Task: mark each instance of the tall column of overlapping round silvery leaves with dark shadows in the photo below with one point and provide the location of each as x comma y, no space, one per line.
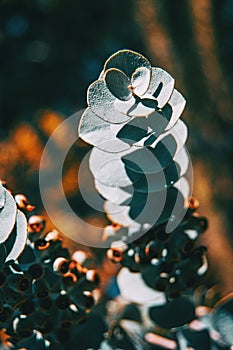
139,162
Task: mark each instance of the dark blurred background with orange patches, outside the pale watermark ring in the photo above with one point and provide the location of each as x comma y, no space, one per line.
51,50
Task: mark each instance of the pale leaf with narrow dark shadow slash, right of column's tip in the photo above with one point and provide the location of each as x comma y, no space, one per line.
161,86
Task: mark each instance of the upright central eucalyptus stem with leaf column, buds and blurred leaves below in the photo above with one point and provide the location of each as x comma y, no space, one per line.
143,171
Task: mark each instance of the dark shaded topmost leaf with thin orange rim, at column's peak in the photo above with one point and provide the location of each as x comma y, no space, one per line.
127,61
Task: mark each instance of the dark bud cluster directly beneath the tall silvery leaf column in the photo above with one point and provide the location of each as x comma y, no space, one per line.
168,262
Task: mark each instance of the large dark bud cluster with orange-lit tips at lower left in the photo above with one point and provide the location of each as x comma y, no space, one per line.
46,293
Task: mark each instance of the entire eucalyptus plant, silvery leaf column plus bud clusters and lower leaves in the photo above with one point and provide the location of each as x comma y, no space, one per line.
142,169
